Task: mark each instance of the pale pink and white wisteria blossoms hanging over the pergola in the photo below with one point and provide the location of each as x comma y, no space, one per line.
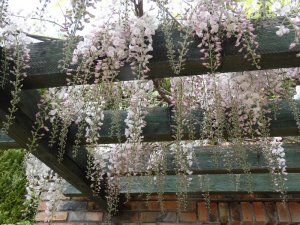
233,105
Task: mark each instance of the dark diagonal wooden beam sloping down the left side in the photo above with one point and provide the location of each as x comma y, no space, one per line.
20,131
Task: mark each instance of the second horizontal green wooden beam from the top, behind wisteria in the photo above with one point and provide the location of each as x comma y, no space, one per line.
159,125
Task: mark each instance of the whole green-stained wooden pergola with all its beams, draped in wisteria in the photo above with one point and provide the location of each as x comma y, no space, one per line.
43,73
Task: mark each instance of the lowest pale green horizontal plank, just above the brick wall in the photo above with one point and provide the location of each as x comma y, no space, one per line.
218,183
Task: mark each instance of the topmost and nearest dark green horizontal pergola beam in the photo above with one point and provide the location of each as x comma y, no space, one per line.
274,53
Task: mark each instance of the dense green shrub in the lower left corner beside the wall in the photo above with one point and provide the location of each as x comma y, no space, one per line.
12,188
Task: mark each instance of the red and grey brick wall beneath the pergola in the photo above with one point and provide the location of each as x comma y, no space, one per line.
224,209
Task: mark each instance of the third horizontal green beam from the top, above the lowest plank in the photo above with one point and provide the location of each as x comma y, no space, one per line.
204,161
